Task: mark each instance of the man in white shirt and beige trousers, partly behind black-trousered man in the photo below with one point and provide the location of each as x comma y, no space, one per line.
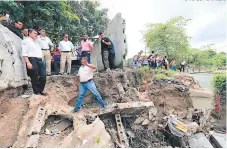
45,44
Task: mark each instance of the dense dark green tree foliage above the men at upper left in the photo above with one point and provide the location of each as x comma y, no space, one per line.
58,17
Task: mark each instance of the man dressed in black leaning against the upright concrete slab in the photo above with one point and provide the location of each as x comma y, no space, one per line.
108,53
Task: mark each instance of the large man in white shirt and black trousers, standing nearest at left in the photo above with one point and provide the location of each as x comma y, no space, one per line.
31,51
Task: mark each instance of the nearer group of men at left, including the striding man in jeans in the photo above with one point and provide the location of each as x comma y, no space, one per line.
37,49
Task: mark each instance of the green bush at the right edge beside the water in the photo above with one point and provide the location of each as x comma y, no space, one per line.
219,82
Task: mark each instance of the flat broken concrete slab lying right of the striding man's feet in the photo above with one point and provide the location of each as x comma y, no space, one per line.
126,109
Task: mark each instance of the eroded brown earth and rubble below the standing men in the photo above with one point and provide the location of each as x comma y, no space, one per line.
39,121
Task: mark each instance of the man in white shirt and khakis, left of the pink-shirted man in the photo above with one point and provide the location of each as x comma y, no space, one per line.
66,47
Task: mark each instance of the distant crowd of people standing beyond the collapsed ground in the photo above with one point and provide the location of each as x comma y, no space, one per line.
155,61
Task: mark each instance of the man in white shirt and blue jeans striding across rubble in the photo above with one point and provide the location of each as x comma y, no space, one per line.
86,83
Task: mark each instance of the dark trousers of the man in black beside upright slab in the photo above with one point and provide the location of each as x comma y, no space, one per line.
108,59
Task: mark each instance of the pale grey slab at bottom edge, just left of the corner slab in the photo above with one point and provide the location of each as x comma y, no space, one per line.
199,140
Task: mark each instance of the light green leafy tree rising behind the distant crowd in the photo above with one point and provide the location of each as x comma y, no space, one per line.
168,38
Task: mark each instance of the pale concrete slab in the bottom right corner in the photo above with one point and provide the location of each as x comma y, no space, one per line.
218,139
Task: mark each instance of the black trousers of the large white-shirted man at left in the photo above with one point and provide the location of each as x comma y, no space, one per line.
37,74
